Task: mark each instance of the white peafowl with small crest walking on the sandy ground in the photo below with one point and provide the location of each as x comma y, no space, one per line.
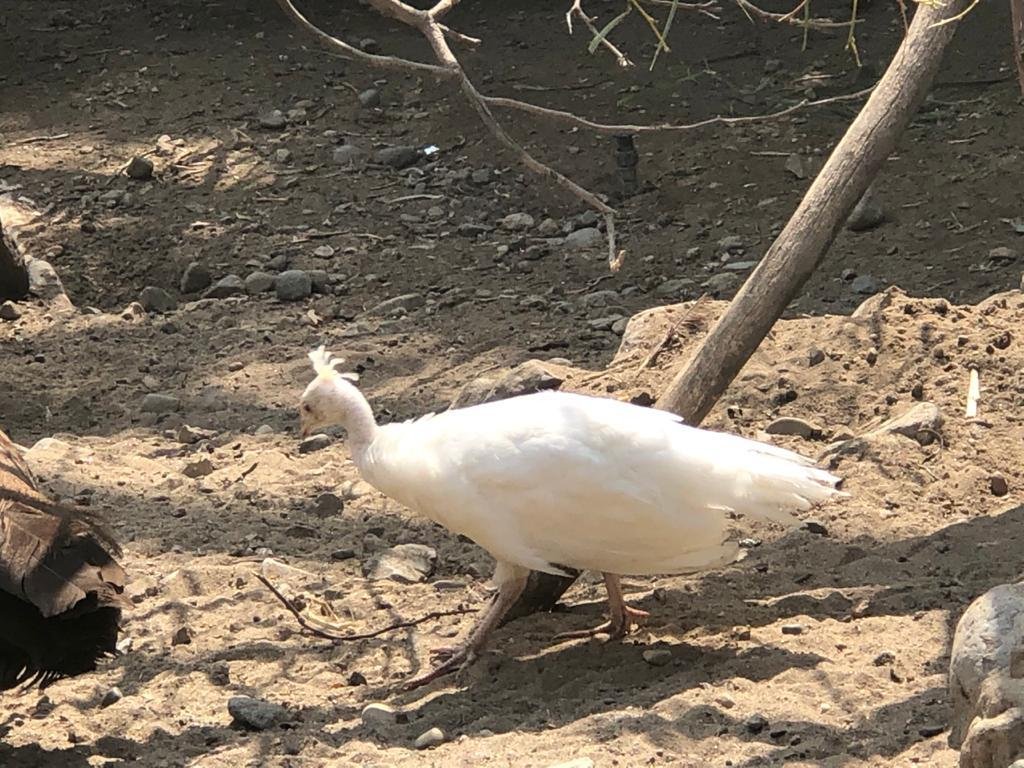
551,481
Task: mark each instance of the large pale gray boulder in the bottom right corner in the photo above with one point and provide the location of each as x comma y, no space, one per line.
986,685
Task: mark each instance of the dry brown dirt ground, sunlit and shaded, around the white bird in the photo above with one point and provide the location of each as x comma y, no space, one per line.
86,88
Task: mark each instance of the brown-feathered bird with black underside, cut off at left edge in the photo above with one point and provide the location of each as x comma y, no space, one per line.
62,590
